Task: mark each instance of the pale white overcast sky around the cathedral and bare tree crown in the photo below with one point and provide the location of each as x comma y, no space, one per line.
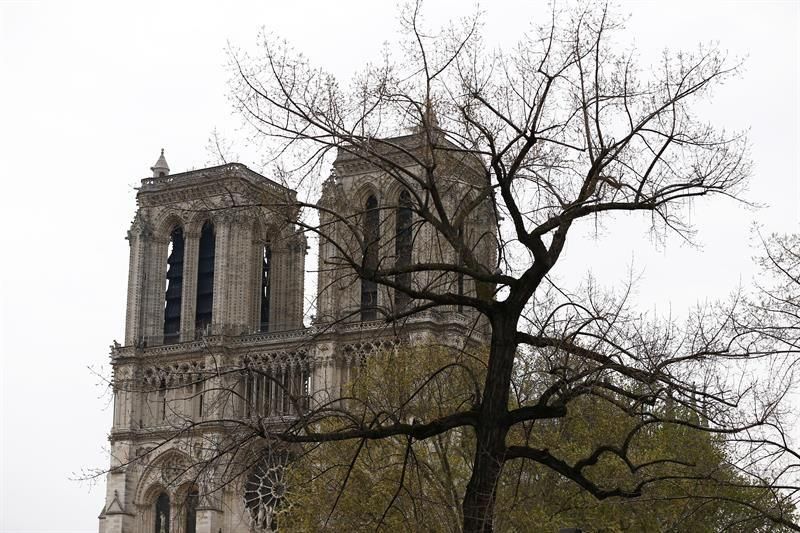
91,91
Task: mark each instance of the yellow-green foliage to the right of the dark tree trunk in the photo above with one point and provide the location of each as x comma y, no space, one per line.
688,484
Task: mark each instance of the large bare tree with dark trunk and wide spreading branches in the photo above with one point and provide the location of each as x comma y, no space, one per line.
501,156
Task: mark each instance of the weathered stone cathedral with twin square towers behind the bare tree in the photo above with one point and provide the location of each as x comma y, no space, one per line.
216,285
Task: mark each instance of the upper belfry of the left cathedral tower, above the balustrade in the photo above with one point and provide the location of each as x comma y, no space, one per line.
208,236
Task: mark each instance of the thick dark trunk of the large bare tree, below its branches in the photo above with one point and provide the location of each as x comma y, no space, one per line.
491,432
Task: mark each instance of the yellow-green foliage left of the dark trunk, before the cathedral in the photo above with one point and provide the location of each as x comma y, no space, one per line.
391,484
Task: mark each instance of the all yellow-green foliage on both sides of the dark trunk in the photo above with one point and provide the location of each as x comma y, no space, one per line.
395,484
